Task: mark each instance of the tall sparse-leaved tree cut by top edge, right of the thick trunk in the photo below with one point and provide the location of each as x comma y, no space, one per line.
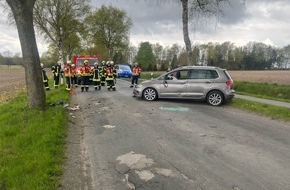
61,22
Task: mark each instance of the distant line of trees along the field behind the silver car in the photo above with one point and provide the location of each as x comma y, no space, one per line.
252,56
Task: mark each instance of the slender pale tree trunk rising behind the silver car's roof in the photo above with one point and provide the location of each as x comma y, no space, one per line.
185,31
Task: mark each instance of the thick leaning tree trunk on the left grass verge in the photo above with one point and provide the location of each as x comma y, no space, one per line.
23,14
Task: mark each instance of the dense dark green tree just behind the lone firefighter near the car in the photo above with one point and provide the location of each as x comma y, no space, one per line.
145,56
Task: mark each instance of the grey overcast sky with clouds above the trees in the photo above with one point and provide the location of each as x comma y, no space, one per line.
266,21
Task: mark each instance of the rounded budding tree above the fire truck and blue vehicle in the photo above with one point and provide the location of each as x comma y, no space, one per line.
109,26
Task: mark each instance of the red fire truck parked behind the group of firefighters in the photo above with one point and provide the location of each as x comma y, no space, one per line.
79,61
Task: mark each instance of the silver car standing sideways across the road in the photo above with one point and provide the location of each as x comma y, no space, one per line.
211,84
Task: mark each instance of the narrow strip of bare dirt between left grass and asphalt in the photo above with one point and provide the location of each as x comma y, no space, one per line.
76,171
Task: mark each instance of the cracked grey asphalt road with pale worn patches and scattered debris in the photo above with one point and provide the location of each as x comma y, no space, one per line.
117,142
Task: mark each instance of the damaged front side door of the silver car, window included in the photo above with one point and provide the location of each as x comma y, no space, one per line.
174,84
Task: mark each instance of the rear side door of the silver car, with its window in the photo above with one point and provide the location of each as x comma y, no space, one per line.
200,82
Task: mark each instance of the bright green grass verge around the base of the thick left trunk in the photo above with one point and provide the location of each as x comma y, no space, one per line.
32,143
